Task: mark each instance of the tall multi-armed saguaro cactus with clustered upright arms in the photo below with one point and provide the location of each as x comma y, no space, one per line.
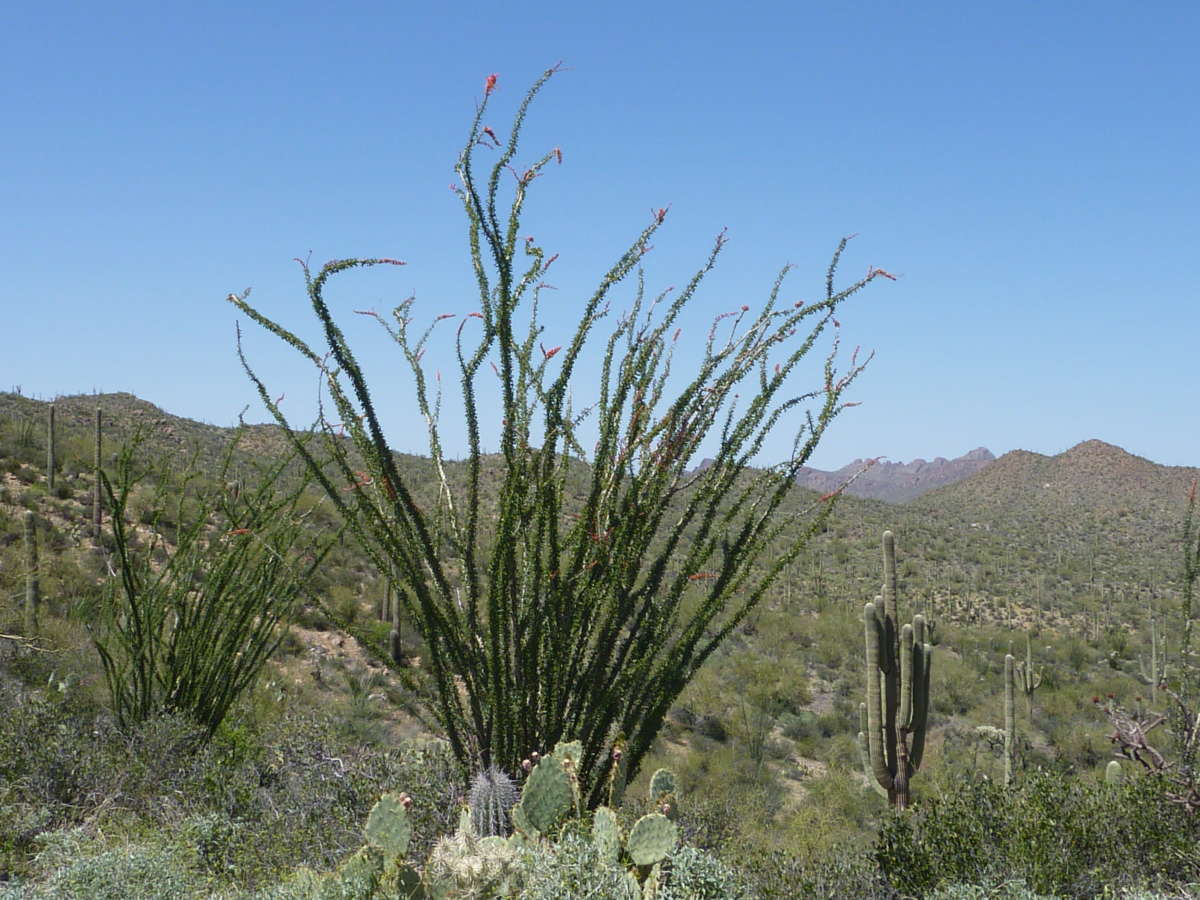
897,709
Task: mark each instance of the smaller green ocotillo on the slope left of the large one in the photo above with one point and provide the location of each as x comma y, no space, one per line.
196,603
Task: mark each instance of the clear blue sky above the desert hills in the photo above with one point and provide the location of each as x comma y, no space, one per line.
1030,170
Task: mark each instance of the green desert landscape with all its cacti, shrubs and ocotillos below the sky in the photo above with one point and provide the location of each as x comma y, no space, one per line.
286,662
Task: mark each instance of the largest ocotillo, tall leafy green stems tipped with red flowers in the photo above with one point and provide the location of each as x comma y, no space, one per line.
553,614
